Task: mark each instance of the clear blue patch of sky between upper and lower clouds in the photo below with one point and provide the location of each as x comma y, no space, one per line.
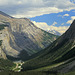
55,17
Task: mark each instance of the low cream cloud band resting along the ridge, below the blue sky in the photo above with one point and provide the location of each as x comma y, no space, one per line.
46,27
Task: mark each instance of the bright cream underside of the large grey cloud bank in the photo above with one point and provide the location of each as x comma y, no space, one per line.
38,12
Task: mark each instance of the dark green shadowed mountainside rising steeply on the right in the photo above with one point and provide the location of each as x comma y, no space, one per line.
58,57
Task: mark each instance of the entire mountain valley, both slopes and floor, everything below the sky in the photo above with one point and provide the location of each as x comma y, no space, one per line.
28,50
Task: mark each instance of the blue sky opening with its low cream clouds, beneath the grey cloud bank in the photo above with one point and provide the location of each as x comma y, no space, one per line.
55,21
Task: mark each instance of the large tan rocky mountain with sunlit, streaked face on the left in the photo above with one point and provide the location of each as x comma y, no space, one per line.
20,38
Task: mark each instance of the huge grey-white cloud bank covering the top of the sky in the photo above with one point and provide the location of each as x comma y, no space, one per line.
32,8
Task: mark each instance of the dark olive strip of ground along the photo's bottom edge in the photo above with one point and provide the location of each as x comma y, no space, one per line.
34,73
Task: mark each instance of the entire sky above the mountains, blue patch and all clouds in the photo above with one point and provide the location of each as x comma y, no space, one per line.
45,14
